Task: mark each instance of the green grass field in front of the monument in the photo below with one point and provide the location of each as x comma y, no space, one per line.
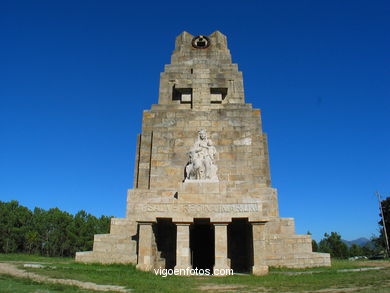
279,280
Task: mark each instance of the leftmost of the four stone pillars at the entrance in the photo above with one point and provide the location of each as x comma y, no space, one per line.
145,246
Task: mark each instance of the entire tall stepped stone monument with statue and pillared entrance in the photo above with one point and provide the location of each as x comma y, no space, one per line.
202,195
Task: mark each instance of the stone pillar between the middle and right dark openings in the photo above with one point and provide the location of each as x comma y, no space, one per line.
221,253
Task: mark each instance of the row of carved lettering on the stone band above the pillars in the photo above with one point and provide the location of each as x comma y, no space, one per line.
200,208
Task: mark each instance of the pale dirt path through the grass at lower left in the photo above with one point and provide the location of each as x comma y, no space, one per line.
11,269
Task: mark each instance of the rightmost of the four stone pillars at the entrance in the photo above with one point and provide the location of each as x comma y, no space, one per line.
259,267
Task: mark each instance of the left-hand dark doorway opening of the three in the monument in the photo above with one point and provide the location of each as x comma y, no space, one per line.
165,233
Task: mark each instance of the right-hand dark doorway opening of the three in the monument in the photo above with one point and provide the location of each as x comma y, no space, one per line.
240,245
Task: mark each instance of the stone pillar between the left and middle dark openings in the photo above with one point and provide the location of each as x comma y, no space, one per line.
183,257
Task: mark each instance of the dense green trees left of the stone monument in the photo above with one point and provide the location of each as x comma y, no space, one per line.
51,233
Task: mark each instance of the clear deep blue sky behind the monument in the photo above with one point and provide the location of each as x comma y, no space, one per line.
75,77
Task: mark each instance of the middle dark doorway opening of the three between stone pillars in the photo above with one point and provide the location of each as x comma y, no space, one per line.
202,244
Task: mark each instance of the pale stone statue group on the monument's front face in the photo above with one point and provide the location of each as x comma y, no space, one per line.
201,164
